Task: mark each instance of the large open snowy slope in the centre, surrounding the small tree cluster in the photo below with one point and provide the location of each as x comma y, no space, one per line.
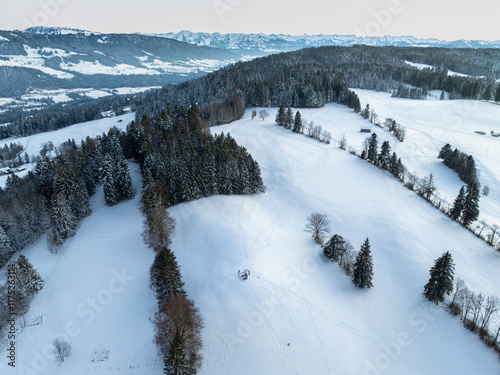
293,296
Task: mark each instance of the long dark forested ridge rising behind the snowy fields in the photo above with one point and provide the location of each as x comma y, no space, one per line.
307,78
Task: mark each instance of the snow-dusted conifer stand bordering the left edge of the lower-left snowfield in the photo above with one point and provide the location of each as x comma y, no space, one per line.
55,196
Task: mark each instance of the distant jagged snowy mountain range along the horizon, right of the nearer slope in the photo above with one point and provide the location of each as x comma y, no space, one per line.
281,42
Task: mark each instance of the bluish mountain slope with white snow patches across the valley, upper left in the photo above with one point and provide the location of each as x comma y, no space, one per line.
62,58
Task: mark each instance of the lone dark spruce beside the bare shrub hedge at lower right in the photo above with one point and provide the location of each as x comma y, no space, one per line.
441,279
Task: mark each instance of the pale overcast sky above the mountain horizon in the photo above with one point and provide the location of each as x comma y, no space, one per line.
442,19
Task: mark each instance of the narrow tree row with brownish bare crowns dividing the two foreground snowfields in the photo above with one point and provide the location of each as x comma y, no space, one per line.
178,322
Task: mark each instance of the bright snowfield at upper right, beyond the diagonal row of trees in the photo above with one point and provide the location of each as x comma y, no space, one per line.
430,125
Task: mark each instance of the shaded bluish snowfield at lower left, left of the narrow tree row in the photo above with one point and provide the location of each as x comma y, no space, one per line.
96,297
